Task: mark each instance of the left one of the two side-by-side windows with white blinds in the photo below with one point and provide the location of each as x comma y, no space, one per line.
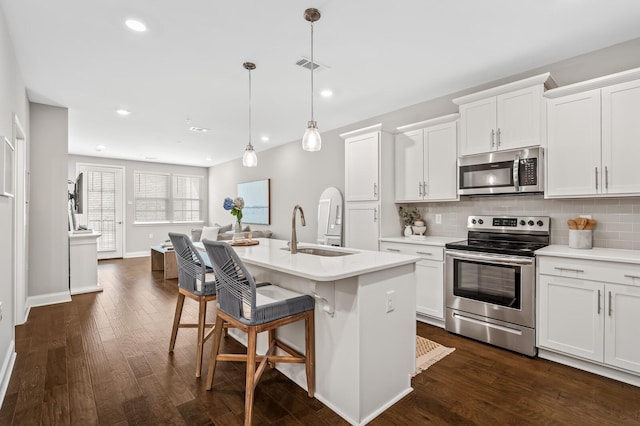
151,192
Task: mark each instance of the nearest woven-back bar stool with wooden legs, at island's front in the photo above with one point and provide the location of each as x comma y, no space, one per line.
254,308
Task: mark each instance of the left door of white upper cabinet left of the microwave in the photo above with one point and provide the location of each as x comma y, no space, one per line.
409,166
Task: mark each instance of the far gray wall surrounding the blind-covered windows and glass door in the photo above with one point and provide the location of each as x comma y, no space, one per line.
137,240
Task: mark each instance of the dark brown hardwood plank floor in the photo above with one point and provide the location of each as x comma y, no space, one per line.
103,359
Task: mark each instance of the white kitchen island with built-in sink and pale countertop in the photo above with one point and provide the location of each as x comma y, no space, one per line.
364,322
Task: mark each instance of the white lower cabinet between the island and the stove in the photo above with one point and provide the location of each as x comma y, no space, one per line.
429,278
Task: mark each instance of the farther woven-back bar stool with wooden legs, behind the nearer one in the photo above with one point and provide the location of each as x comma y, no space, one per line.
196,282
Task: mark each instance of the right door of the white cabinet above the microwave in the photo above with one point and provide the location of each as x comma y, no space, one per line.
519,118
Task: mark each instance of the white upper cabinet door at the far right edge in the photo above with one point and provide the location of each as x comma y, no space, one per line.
621,138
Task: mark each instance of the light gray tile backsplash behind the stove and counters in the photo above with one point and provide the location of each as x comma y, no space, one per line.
618,218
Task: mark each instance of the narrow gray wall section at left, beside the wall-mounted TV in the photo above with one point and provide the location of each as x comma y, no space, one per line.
48,234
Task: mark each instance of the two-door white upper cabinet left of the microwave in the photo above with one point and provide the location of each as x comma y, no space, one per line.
426,161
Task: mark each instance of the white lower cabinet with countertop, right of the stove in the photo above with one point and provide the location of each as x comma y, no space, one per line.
590,310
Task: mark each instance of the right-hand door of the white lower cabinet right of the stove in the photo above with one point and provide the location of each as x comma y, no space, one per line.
622,340
